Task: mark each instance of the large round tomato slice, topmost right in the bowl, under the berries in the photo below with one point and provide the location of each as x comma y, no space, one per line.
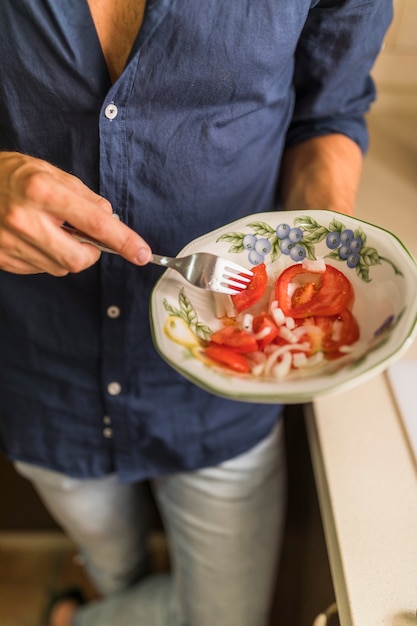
301,293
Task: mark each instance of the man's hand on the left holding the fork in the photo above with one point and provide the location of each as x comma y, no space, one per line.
36,198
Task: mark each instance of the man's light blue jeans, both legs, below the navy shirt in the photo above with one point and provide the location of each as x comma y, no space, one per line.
224,525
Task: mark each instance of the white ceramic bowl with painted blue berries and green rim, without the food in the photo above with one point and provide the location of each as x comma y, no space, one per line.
382,271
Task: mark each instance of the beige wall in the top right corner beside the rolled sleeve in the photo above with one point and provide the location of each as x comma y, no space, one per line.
395,71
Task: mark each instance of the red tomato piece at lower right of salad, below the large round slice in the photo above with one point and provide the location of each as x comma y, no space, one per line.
338,330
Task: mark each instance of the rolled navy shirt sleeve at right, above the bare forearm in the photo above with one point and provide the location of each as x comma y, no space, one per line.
335,54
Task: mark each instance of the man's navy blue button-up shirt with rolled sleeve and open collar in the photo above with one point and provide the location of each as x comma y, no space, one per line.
190,137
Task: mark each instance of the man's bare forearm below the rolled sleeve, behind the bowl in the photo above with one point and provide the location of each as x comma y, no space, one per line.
321,173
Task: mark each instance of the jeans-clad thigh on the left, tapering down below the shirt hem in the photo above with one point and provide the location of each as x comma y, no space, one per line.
107,521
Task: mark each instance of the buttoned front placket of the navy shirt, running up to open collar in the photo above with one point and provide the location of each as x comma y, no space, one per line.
115,427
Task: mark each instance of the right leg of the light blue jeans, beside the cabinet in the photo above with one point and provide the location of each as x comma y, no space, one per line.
225,526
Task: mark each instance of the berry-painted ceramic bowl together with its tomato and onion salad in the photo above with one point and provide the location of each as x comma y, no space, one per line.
332,302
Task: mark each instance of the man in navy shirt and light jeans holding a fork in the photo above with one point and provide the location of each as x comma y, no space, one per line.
177,116
